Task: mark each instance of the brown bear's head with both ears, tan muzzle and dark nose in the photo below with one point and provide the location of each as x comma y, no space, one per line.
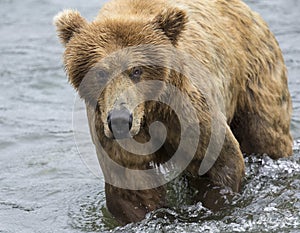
106,59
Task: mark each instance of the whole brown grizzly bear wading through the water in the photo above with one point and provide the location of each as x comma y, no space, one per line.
207,78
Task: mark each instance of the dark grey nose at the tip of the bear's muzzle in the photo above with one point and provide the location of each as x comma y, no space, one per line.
120,123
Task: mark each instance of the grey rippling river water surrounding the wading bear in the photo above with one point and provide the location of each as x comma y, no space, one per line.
46,187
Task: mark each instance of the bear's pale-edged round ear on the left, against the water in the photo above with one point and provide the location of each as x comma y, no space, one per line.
67,23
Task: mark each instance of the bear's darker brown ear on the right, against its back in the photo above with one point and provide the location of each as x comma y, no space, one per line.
171,22
